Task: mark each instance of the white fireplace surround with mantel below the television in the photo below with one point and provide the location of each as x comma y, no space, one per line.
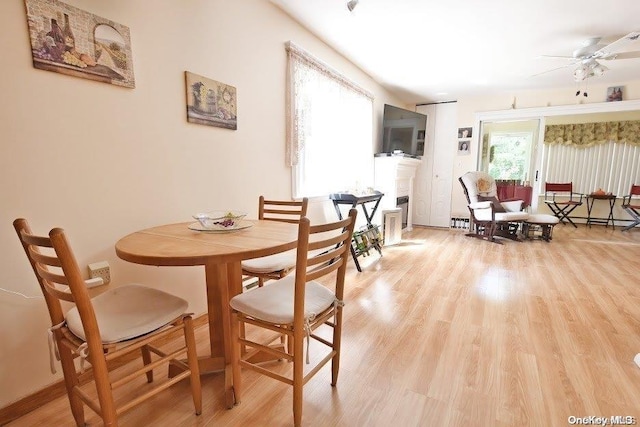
394,176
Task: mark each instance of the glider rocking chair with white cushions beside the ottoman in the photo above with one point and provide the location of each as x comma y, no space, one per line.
490,218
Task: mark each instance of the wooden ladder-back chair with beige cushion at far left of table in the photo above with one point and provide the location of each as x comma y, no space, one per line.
106,331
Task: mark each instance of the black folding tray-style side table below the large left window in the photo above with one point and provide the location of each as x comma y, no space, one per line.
361,247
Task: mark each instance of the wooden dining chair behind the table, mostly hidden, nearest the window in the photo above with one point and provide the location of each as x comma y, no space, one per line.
278,265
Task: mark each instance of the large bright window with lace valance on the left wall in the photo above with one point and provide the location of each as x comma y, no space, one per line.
330,128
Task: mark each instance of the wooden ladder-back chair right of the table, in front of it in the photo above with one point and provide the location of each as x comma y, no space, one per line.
297,305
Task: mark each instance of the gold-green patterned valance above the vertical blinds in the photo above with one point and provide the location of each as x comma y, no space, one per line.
582,135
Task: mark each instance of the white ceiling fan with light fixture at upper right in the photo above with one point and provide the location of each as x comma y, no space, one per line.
586,59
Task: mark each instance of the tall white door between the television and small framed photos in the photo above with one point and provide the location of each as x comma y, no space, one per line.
432,188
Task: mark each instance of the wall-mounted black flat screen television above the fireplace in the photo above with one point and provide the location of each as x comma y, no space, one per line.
404,131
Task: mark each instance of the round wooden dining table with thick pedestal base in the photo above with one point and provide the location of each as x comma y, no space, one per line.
221,254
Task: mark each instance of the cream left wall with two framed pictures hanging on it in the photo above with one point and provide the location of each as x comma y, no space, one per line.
102,161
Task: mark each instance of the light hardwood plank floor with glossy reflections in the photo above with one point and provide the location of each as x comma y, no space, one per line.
445,330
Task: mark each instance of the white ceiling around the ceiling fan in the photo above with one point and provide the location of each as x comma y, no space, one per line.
439,50
